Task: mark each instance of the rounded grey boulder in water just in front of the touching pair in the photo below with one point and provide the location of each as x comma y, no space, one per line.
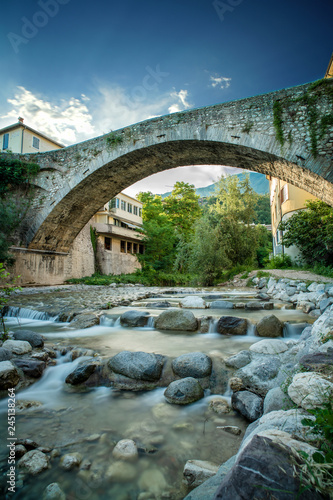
184,391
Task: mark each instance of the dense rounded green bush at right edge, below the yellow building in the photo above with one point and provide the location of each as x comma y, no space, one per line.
312,232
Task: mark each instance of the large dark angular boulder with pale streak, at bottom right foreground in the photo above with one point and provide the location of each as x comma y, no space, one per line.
264,466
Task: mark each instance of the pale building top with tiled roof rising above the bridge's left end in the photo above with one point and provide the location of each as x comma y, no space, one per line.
19,138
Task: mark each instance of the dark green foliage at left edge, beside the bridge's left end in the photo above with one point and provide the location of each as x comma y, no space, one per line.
14,174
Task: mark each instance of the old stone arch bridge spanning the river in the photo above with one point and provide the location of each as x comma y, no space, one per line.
286,134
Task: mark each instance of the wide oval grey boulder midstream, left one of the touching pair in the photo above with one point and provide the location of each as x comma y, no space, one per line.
137,365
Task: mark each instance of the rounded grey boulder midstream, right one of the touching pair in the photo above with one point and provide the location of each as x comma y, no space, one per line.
194,364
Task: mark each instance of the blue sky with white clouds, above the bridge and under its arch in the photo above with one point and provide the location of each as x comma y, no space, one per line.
76,69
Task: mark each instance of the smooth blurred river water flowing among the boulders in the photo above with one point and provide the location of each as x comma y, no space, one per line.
92,421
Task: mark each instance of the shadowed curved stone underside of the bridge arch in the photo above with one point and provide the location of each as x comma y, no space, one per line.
58,231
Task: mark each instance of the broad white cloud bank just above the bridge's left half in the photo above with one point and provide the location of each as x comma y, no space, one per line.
76,119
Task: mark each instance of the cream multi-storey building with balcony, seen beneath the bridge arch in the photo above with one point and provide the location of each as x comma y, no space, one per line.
117,225
